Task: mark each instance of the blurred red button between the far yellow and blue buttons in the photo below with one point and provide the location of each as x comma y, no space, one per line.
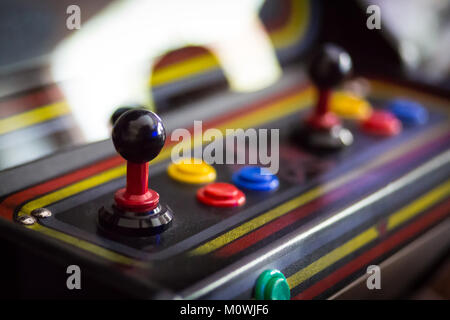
382,123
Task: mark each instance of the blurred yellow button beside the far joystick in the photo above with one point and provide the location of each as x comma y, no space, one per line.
348,105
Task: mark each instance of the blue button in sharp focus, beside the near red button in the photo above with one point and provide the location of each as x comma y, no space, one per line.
255,178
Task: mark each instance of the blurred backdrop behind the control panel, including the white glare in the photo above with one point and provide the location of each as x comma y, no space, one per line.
37,117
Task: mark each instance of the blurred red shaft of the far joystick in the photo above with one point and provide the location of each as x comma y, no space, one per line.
322,118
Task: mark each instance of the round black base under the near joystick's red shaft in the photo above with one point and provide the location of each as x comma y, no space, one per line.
116,221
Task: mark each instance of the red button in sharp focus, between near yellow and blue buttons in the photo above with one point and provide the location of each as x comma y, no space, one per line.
221,195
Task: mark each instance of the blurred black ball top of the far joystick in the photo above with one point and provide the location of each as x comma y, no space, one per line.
329,66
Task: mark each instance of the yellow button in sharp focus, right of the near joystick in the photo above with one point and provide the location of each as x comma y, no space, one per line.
188,171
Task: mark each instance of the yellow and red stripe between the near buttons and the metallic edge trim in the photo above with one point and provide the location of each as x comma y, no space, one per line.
297,208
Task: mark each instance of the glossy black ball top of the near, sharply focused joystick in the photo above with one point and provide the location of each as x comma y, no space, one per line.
138,135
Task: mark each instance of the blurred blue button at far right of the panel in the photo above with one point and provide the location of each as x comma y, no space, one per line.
409,112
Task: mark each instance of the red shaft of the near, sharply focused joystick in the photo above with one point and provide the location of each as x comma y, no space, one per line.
137,197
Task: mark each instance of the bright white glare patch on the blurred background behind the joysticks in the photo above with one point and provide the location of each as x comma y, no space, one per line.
110,57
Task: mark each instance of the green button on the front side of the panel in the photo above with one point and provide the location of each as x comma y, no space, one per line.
272,285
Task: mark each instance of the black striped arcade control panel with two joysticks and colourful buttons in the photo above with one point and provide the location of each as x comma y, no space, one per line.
355,172
